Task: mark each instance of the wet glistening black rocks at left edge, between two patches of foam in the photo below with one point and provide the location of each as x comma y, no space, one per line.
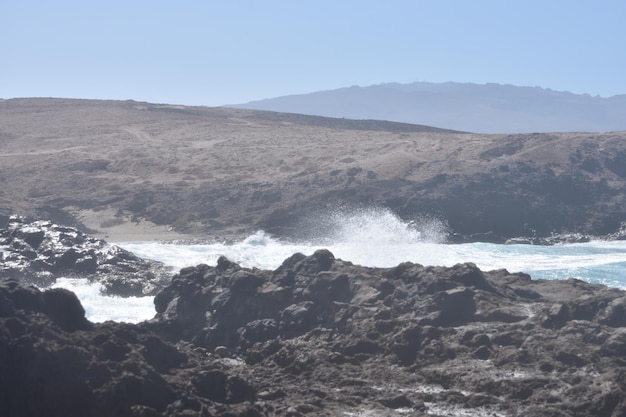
39,252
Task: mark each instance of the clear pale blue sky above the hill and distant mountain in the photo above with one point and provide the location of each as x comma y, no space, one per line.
224,52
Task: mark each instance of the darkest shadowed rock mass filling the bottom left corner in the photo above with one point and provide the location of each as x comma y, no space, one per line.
55,363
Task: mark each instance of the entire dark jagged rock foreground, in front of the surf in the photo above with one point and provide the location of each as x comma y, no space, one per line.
321,336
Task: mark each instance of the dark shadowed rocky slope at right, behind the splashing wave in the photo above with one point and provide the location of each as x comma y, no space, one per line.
512,199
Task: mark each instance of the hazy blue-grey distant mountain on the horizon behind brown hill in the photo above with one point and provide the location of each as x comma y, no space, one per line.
482,108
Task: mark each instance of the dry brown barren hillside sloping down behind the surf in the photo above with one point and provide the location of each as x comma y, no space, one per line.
218,172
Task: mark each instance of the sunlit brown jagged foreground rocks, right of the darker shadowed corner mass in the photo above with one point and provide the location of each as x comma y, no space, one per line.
326,337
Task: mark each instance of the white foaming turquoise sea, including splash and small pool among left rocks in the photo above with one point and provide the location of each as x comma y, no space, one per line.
373,237
